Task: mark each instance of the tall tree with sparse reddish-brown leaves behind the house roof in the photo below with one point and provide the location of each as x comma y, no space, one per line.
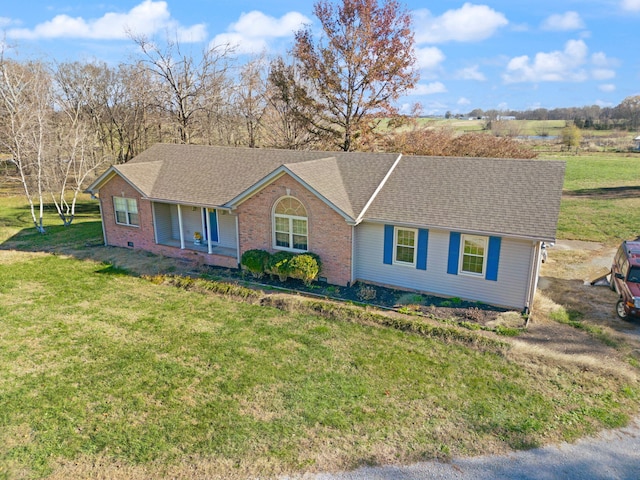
363,63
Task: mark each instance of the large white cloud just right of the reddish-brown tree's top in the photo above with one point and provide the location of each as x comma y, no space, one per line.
469,23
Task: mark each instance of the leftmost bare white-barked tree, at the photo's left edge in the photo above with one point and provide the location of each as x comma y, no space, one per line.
25,108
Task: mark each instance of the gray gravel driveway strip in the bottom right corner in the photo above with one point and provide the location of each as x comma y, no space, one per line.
612,455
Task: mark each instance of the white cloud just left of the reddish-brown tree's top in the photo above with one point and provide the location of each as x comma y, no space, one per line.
253,30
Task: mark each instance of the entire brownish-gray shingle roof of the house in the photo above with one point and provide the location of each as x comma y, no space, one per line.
498,196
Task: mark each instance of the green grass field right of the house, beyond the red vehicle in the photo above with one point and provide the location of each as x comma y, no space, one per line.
601,200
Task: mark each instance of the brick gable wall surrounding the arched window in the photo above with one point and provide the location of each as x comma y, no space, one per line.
329,234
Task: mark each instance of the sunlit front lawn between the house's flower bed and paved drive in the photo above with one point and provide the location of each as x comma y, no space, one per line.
97,364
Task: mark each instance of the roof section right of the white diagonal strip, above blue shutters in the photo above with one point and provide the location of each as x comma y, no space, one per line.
502,196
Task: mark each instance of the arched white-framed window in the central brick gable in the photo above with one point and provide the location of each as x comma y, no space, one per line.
290,225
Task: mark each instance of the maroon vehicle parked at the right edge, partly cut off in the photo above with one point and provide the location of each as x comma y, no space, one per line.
625,279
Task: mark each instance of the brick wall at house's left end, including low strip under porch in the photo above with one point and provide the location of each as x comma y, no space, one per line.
143,237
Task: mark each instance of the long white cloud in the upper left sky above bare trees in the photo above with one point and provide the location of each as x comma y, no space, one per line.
147,18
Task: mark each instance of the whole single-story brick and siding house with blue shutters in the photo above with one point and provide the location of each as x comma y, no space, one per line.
411,222
